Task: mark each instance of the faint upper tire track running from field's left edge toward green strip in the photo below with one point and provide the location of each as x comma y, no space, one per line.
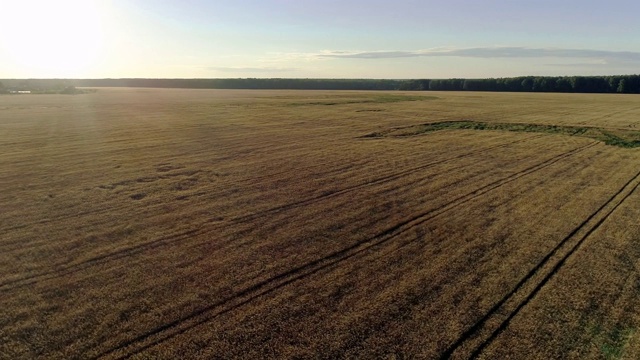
169,239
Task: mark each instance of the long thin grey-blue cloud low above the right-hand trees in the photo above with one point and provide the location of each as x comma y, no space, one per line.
490,52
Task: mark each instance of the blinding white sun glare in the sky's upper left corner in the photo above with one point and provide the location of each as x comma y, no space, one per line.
61,38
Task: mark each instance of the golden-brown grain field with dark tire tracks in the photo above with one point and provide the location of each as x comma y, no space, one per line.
154,223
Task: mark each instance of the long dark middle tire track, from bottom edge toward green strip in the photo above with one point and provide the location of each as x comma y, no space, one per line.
269,285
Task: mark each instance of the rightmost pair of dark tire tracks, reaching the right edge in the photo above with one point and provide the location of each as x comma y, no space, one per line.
538,276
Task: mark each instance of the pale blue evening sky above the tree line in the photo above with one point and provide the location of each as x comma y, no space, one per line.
391,39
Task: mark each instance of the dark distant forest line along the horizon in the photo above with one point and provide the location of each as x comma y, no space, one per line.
627,84
